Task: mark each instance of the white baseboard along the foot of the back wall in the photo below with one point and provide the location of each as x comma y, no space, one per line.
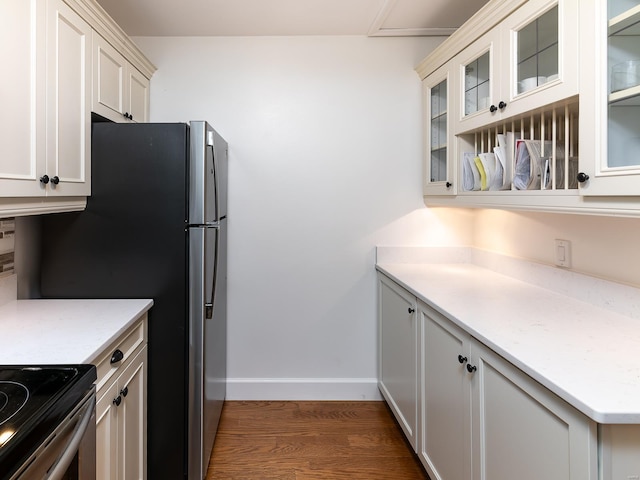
303,389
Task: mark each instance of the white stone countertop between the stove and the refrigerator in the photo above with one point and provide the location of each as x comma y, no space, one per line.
40,332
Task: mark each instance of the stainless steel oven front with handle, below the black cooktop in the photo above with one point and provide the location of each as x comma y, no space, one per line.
70,451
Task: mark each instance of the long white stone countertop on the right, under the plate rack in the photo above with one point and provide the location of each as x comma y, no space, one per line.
586,354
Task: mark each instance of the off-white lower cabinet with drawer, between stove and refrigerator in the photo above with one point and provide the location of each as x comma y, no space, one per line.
121,421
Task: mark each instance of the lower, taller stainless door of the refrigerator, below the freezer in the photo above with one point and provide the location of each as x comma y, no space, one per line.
207,342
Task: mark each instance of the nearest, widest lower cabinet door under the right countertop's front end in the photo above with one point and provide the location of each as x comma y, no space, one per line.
521,430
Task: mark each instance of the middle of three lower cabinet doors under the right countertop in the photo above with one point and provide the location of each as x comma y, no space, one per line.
445,444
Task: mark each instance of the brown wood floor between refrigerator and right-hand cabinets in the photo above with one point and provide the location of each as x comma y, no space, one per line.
311,440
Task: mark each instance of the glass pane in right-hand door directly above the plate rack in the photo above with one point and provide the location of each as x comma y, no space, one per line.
537,51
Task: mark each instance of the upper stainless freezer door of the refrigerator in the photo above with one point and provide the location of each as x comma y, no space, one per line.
208,175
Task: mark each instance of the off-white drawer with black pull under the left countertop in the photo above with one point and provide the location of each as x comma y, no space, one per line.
121,351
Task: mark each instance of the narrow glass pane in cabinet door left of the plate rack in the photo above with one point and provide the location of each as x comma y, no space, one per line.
438,127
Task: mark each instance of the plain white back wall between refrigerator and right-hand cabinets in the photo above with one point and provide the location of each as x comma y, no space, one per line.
325,163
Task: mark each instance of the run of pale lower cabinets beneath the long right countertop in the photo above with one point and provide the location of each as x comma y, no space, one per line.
479,417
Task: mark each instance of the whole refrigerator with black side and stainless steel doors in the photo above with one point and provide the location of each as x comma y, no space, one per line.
155,227
